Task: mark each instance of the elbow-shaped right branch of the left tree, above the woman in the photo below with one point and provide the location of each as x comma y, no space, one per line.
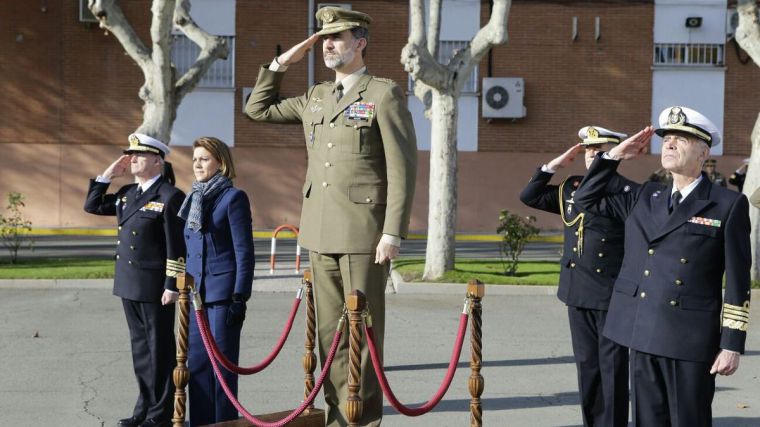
212,48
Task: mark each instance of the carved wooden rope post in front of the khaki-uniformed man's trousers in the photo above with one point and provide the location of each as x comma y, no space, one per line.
355,304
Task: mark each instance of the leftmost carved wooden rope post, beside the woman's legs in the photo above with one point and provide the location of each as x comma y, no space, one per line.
181,374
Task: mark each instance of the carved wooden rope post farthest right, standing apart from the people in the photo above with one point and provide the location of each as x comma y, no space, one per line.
475,291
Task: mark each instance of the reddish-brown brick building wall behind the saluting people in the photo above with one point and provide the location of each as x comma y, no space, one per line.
71,99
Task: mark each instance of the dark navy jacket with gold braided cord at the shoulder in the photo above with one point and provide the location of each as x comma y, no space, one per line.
593,245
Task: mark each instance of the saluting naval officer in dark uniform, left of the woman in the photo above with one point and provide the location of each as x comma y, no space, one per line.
150,253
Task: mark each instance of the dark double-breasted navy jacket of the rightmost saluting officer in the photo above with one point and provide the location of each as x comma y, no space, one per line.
667,300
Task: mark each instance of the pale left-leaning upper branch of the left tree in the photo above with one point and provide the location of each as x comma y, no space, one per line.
112,18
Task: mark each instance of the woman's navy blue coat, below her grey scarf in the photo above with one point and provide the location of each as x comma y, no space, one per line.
220,255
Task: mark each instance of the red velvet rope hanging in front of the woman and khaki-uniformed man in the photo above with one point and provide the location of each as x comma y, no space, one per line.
199,315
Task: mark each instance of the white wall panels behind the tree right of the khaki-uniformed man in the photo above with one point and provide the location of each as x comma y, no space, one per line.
460,20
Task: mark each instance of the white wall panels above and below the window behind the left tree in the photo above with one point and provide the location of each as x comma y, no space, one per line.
209,111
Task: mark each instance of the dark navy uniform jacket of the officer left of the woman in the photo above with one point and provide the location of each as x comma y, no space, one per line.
150,250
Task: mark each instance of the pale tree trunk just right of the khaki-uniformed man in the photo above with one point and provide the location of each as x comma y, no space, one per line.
442,208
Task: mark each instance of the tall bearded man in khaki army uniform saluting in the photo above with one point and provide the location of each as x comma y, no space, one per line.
359,186
